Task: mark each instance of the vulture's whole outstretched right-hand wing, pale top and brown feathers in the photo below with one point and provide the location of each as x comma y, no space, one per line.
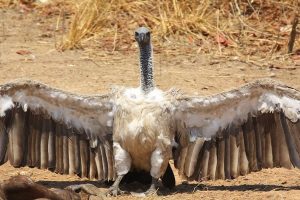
237,132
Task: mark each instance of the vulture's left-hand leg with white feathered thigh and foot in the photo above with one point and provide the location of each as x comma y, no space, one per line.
122,165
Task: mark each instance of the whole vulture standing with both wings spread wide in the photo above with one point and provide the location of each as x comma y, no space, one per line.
105,137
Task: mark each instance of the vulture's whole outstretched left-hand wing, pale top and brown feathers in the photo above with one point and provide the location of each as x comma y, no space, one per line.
52,129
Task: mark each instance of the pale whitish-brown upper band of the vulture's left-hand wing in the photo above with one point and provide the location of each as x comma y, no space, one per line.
91,114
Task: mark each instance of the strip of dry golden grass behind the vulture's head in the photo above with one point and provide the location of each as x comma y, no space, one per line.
235,25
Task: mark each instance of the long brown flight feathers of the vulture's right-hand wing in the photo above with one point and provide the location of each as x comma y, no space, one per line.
227,157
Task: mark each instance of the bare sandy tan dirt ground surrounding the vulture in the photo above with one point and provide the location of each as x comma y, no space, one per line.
27,51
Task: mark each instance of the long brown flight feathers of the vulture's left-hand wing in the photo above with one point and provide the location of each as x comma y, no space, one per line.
51,145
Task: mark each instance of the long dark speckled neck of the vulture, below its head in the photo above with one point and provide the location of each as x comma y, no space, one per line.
146,66
